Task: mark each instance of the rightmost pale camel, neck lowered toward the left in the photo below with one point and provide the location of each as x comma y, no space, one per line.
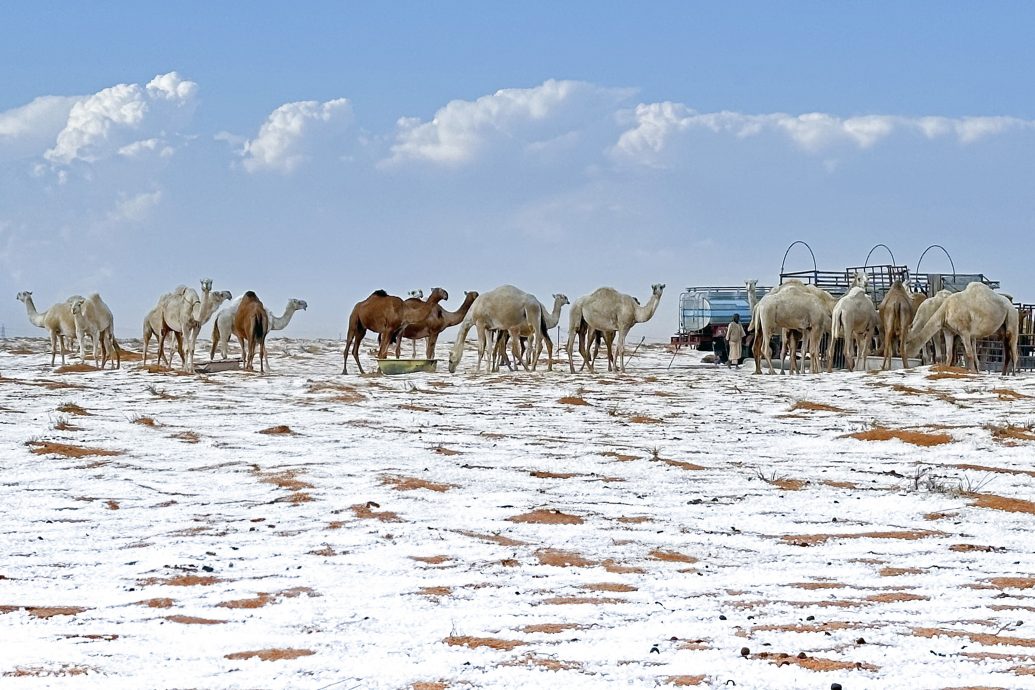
974,313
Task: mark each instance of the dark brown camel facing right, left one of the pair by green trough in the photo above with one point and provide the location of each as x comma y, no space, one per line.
388,316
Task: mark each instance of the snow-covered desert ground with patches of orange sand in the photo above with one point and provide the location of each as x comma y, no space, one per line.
684,526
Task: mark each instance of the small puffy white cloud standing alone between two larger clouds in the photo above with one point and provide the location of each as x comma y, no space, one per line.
291,132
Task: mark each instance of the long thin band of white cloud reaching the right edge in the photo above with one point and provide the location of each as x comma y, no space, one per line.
654,127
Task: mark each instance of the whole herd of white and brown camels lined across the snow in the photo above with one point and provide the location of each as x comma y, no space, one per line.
508,316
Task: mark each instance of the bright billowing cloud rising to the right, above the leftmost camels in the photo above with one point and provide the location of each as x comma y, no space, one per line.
114,119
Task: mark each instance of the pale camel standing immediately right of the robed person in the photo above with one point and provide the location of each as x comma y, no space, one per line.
793,308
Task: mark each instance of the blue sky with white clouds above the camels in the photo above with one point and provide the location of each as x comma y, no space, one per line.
326,151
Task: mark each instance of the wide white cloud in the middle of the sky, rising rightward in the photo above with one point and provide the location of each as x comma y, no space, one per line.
526,117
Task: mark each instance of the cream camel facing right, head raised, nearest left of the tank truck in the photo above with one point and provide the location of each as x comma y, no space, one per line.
607,310
